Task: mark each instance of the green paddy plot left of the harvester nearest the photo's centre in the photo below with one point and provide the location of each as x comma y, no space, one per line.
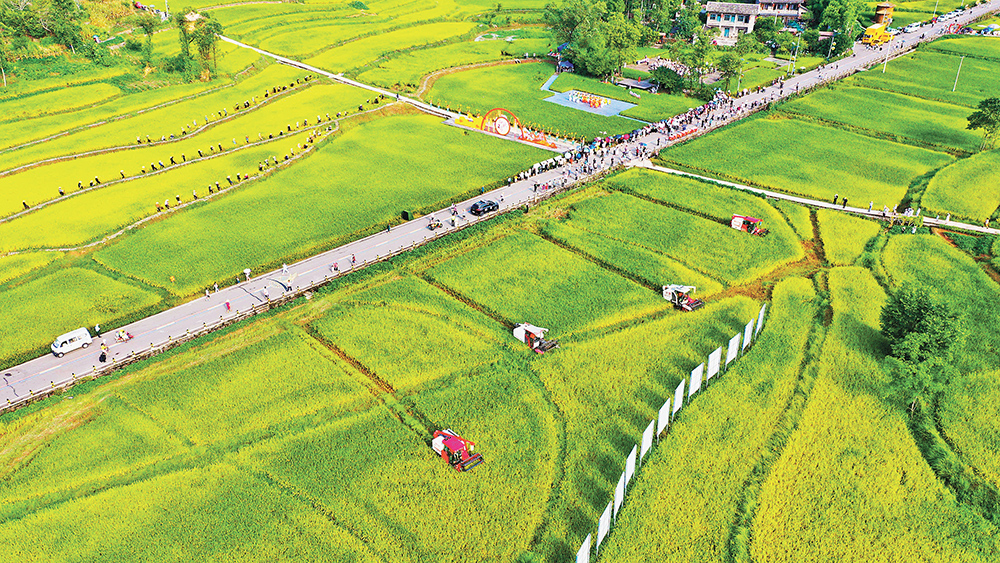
414,334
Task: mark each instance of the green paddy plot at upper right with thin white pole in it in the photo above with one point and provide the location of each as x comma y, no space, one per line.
936,71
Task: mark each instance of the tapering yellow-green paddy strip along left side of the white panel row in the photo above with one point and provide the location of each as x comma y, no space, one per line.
608,389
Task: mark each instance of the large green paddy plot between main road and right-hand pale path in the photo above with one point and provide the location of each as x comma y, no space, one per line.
811,160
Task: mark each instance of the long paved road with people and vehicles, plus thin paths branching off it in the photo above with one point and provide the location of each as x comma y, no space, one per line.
201,314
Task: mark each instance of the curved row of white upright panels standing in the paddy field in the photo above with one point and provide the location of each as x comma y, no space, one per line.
659,425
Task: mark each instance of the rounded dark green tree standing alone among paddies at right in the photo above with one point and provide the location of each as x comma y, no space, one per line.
923,332
